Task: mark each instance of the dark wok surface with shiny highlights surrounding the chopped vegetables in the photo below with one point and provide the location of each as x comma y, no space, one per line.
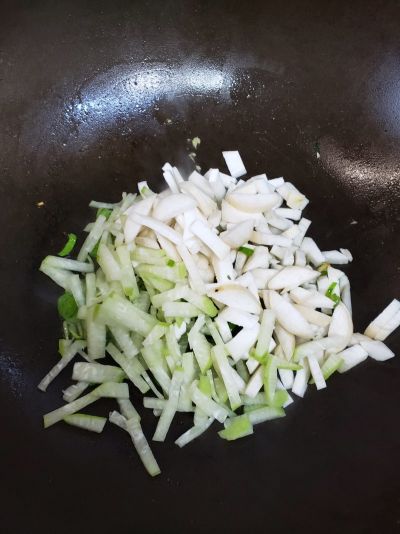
95,96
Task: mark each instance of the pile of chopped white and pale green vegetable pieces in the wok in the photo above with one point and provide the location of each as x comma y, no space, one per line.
209,299
